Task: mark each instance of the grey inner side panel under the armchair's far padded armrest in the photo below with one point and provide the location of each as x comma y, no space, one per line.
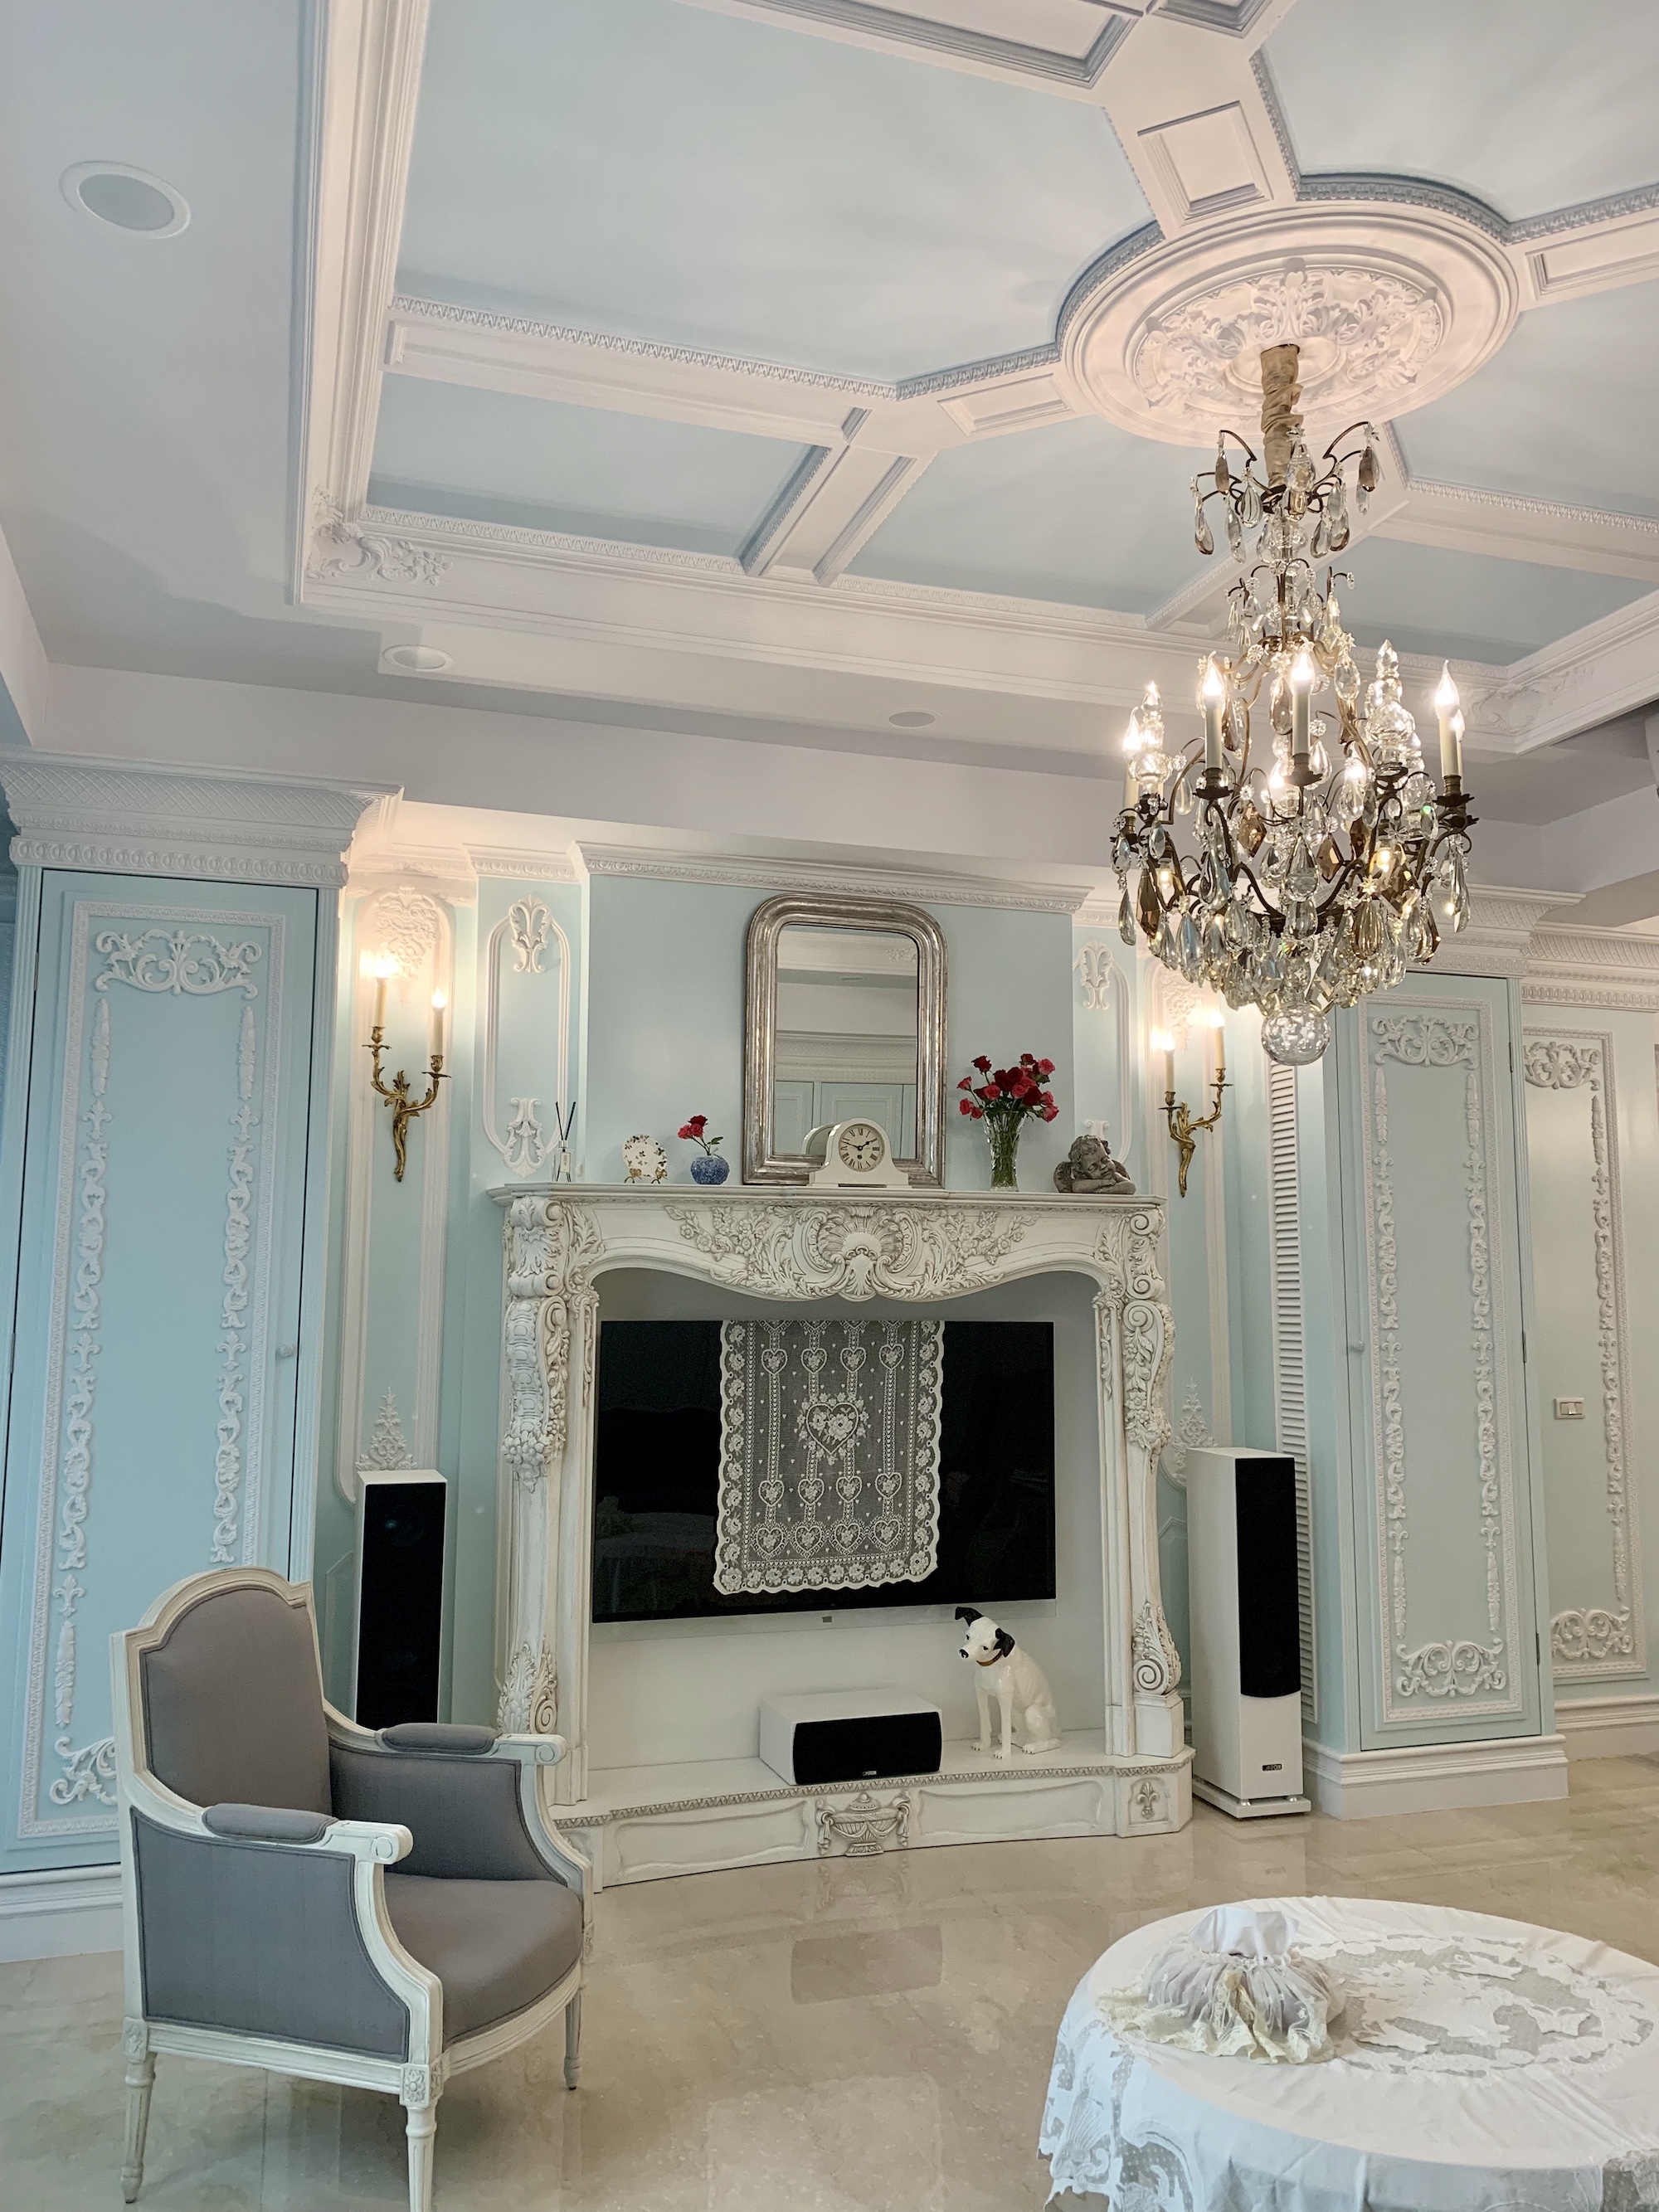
463,1813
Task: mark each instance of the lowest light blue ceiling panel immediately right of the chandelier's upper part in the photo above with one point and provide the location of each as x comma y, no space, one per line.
1470,605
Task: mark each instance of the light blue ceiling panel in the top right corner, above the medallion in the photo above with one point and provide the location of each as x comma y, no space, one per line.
1525,103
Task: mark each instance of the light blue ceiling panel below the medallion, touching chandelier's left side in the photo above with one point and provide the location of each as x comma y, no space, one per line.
1076,512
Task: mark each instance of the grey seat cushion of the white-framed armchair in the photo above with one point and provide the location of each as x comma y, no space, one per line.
497,1948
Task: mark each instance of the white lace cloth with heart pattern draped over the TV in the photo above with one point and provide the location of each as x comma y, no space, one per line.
831,1439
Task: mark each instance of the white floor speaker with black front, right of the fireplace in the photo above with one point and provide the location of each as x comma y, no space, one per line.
1246,1631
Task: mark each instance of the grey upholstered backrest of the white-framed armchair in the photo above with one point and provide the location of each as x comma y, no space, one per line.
233,1711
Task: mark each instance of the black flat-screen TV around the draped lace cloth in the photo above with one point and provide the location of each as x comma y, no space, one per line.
656,1477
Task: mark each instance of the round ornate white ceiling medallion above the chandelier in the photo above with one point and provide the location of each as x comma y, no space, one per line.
1390,304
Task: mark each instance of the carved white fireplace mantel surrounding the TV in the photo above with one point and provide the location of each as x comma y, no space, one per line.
806,1246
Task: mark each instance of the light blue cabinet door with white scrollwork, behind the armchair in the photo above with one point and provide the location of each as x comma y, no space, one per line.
152,1423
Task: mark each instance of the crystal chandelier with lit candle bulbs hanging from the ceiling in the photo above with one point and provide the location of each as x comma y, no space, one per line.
1326,859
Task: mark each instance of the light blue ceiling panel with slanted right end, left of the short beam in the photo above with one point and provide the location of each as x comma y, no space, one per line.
494,457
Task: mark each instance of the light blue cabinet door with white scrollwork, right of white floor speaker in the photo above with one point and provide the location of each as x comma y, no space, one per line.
1443,1465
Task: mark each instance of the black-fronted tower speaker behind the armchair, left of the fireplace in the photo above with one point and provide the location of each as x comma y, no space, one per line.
399,1596
